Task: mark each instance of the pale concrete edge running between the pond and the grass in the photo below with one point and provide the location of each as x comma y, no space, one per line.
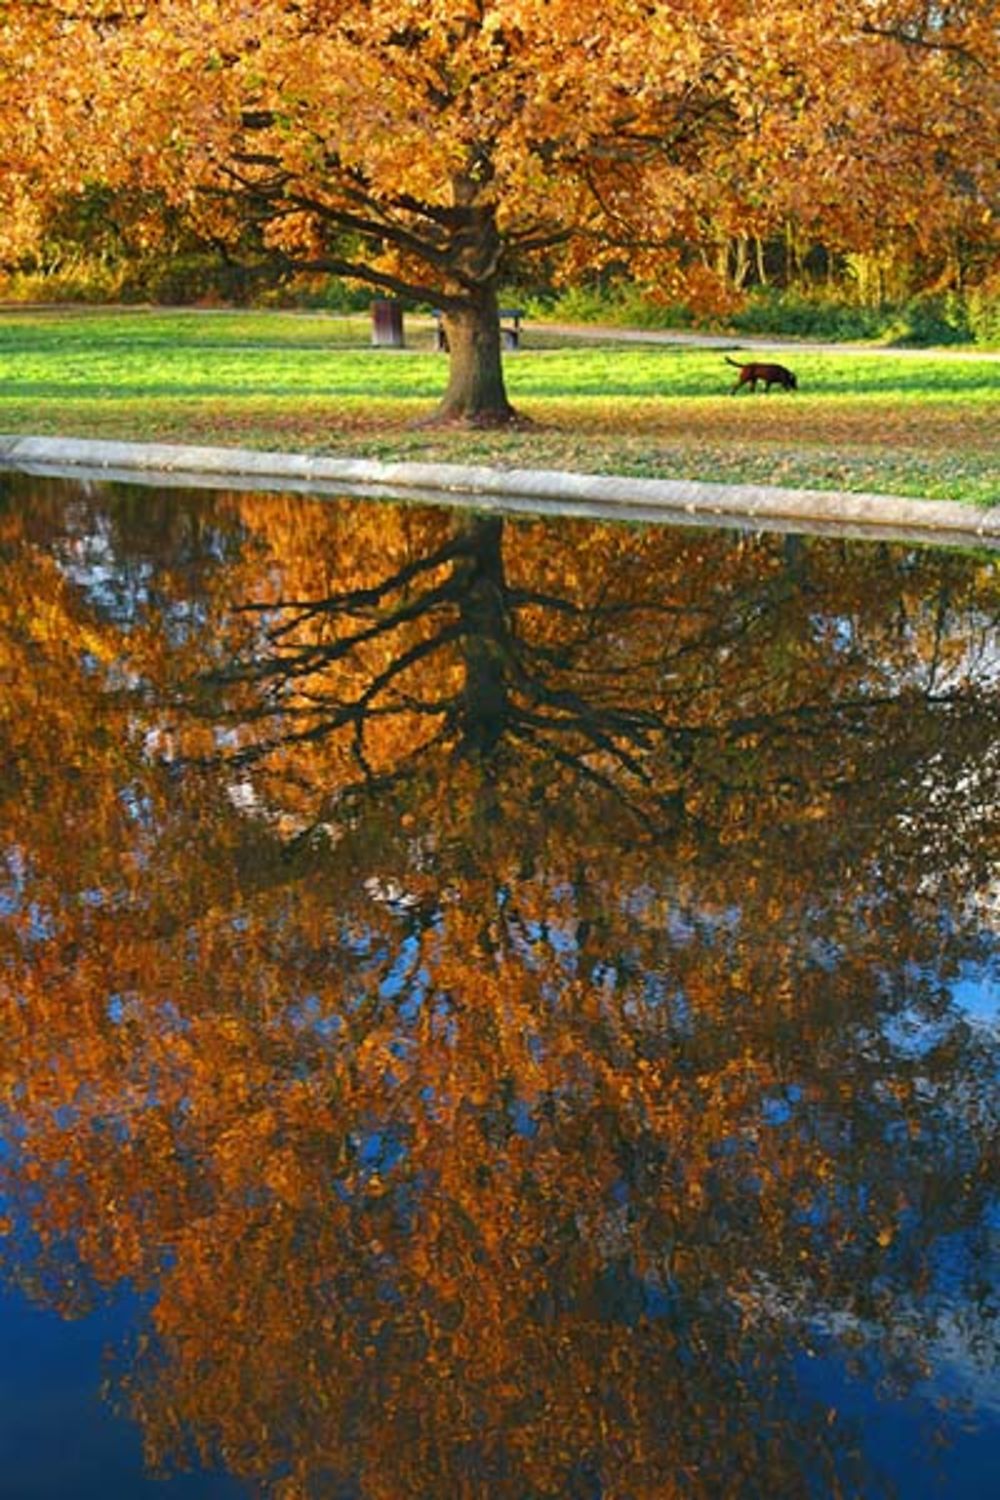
536,491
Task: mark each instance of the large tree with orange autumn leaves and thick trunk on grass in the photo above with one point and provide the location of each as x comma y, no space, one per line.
437,152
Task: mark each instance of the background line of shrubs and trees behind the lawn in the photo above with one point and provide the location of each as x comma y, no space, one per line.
109,245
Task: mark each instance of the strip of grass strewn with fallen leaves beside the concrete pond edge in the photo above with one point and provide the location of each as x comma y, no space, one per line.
933,452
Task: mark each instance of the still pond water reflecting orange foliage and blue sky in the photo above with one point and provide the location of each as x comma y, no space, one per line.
493,1007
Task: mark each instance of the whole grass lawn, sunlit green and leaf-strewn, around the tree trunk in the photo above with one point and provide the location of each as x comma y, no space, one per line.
915,425
